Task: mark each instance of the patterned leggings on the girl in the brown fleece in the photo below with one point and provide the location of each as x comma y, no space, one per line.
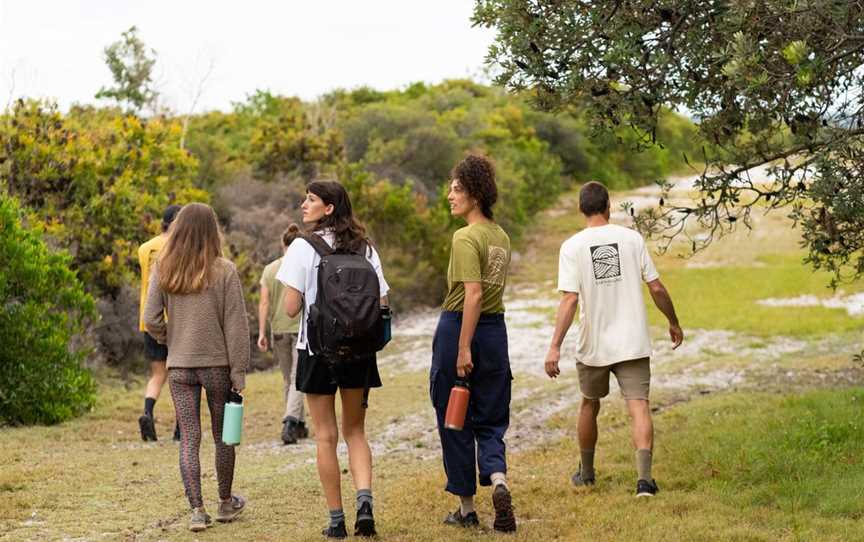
186,387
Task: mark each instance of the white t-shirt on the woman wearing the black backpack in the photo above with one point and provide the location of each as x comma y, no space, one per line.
299,270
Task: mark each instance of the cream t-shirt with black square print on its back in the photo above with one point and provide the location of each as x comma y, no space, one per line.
606,266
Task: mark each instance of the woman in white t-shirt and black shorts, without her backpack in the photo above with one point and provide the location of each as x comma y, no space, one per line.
328,216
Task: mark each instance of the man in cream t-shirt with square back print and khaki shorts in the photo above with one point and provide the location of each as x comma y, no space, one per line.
603,267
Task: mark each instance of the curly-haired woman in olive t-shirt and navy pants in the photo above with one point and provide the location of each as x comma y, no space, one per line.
471,343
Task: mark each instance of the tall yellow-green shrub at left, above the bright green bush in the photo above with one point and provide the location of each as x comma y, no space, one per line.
95,181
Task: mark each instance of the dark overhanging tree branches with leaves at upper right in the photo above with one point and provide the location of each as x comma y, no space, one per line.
774,82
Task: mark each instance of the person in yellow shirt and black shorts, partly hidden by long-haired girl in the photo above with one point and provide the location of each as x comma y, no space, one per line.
156,353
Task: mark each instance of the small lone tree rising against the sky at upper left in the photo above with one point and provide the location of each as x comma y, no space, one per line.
131,64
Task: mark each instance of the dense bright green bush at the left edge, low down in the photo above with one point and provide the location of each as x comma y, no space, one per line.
42,306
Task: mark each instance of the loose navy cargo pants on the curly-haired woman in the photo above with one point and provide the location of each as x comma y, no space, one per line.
481,441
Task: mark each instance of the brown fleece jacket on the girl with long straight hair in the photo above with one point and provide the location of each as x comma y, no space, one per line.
204,329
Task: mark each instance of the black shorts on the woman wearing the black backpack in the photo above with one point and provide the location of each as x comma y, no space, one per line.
315,375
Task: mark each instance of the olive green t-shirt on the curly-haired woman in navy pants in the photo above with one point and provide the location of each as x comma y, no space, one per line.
480,253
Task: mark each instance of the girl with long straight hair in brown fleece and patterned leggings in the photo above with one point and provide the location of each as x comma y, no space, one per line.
195,306
